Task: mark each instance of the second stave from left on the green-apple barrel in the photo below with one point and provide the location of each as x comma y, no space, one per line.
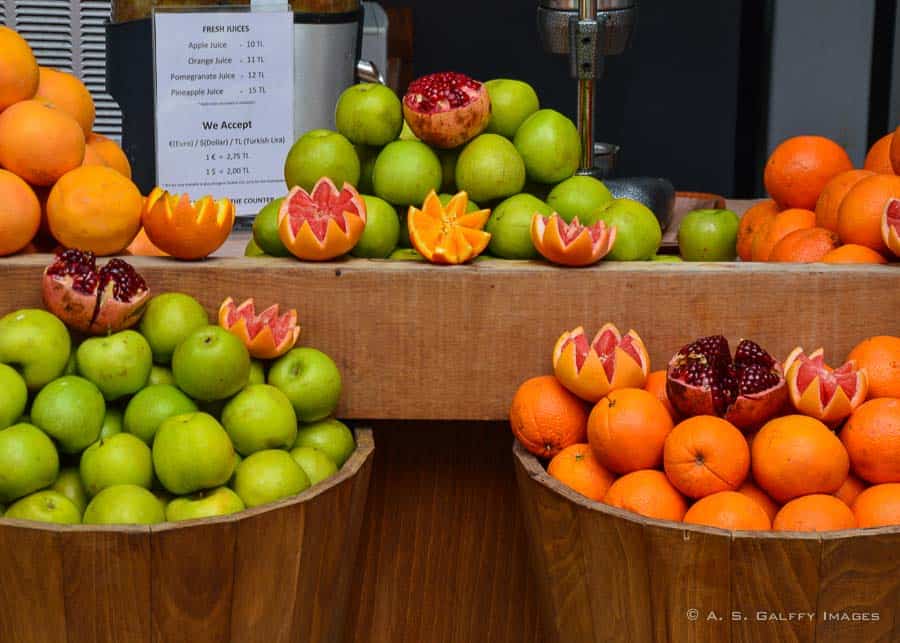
108,578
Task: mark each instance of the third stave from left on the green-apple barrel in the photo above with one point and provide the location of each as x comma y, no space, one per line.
193,572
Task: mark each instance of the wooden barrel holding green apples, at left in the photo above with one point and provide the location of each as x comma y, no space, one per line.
278,573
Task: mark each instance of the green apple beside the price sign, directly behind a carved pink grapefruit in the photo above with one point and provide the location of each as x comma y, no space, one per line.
319,153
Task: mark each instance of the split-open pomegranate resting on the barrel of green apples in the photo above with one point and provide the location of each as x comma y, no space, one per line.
91,300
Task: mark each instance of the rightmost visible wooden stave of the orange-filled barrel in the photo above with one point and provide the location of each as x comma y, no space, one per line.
859,593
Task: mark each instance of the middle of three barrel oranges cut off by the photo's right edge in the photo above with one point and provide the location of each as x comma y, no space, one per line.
872,439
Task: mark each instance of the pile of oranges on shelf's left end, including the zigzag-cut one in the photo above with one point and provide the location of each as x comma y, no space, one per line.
61,184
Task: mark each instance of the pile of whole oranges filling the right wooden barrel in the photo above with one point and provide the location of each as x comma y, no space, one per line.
632,451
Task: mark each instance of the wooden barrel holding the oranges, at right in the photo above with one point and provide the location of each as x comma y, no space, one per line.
604,574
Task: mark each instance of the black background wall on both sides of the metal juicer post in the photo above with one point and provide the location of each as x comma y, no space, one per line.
671,101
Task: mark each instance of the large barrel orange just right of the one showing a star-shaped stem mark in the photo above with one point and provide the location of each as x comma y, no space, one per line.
796,455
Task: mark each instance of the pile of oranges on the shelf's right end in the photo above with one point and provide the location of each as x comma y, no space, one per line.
822,209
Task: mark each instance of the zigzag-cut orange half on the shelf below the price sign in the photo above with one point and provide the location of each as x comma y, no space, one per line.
186,229
